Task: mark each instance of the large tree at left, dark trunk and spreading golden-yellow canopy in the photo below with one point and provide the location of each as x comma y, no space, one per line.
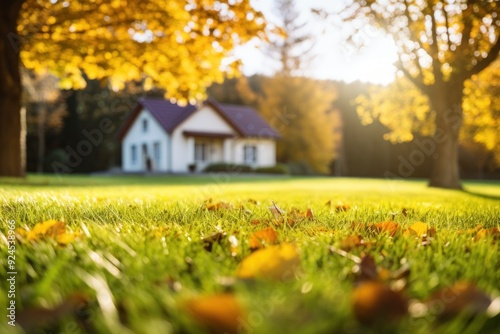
178,45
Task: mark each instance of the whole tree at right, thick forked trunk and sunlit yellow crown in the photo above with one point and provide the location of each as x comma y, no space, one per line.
441,44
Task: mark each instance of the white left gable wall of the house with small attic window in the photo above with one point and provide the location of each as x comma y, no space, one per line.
154,137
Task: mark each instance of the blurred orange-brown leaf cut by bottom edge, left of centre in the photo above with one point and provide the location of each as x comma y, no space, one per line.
218,313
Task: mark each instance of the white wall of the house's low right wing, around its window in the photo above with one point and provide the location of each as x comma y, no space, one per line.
265,151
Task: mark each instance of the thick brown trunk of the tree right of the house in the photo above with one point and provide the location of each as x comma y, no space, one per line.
447,103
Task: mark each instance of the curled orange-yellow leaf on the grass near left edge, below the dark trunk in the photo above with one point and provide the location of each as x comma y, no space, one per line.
52,229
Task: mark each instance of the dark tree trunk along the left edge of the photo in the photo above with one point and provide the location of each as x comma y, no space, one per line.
12,120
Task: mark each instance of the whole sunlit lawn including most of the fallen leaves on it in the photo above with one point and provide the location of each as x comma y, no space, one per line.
139,263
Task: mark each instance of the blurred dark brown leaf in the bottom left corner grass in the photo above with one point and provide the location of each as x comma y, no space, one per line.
37,318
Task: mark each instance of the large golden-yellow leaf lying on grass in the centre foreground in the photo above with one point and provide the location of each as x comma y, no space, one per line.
279,262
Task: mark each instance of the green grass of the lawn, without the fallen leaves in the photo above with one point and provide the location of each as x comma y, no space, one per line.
122,257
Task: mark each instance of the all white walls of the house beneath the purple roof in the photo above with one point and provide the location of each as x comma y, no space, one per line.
181,148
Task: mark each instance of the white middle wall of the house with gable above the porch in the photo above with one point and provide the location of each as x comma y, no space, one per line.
204,120
